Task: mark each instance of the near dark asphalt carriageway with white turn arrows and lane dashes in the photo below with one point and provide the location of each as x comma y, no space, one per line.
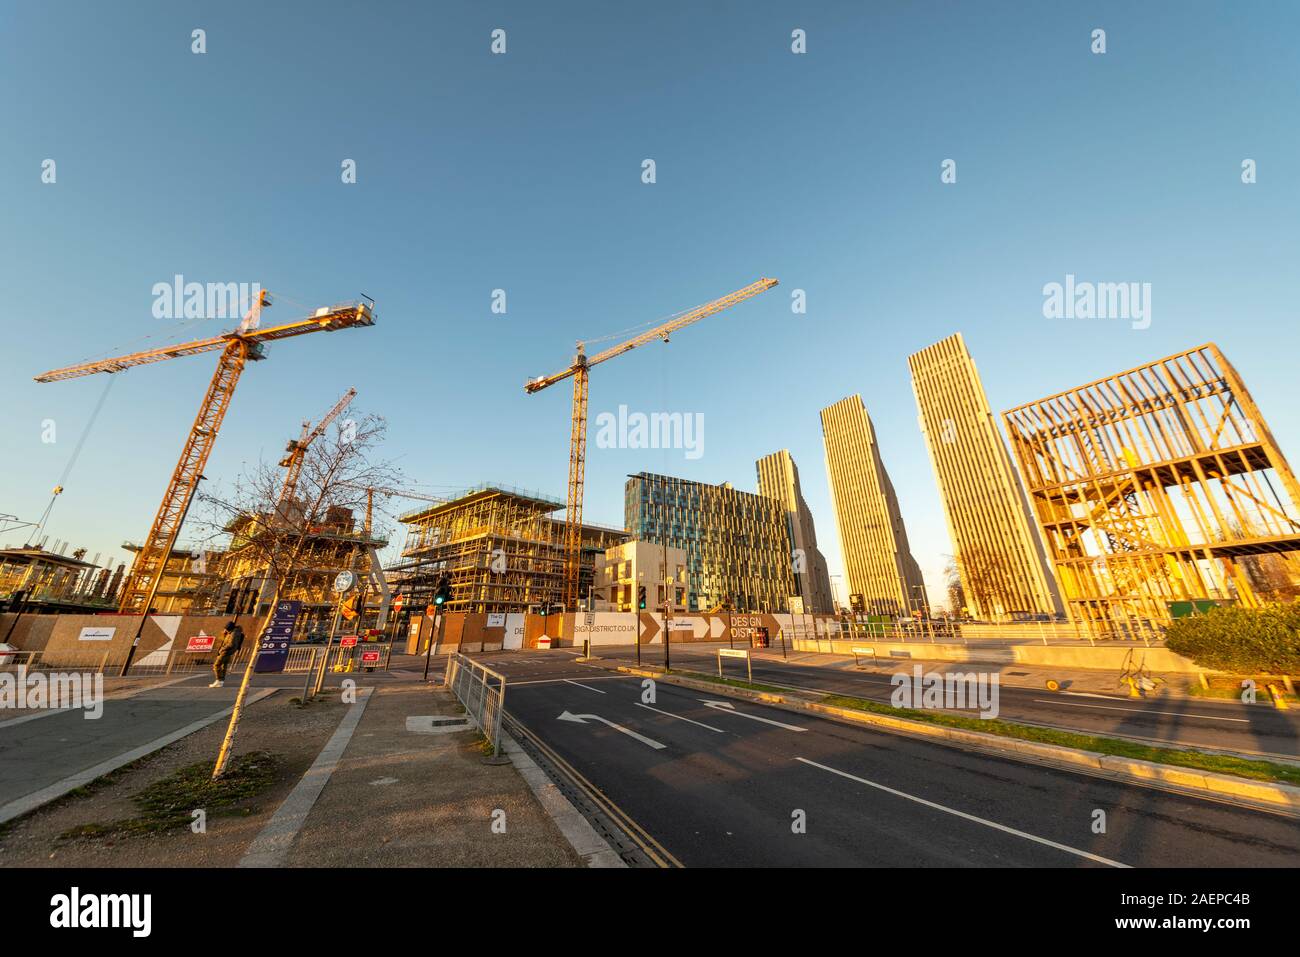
720,786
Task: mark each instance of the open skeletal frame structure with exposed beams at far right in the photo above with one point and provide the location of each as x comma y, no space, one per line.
1156,491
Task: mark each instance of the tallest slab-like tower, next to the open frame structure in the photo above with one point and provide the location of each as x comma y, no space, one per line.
999,553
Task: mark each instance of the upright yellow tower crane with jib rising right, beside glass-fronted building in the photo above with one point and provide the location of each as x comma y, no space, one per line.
579,371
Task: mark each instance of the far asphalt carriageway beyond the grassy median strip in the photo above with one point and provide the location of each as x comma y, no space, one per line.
1211,724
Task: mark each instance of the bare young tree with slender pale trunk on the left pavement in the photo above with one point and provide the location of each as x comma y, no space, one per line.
272,523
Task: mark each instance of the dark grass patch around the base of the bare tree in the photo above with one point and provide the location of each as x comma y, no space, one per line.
168,804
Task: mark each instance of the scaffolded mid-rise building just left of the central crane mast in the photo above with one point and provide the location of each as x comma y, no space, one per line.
502,549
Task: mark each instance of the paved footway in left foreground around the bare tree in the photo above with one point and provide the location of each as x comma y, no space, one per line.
374,789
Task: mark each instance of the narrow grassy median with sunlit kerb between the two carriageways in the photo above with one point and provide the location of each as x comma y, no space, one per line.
1258,783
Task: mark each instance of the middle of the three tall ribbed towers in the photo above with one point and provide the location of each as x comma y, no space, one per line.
873,540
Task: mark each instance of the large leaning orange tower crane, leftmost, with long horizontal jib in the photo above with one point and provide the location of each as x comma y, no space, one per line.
239,348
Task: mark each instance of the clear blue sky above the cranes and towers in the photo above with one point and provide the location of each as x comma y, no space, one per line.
523,172
